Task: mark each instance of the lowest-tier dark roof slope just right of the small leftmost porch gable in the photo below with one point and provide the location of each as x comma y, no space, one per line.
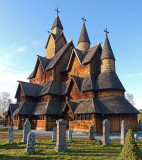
25,108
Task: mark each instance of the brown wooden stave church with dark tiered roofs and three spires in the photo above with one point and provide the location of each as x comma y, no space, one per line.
79,85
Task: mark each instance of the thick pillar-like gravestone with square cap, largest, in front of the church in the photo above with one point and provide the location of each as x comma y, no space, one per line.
61,145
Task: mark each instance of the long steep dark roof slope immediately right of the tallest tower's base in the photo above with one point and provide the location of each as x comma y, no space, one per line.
58,55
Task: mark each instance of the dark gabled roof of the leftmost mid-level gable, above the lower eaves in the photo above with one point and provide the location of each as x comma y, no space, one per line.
29,89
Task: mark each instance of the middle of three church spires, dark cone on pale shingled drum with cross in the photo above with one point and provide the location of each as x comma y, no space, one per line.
83,42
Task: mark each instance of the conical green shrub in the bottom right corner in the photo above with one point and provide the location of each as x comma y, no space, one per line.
130,150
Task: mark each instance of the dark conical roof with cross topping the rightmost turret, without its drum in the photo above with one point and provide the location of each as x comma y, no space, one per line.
107,52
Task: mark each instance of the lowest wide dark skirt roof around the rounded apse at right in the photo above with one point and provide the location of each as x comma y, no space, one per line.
116,105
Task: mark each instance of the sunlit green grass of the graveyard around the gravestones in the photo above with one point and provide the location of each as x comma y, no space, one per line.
79,148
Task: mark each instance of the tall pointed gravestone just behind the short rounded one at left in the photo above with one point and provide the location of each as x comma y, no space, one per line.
26,130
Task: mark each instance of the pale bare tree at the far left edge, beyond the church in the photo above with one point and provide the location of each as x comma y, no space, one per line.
4,101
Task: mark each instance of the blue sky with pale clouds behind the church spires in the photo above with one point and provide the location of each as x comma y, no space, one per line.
23,35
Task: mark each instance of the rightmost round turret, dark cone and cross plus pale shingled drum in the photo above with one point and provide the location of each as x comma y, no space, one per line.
107,58
